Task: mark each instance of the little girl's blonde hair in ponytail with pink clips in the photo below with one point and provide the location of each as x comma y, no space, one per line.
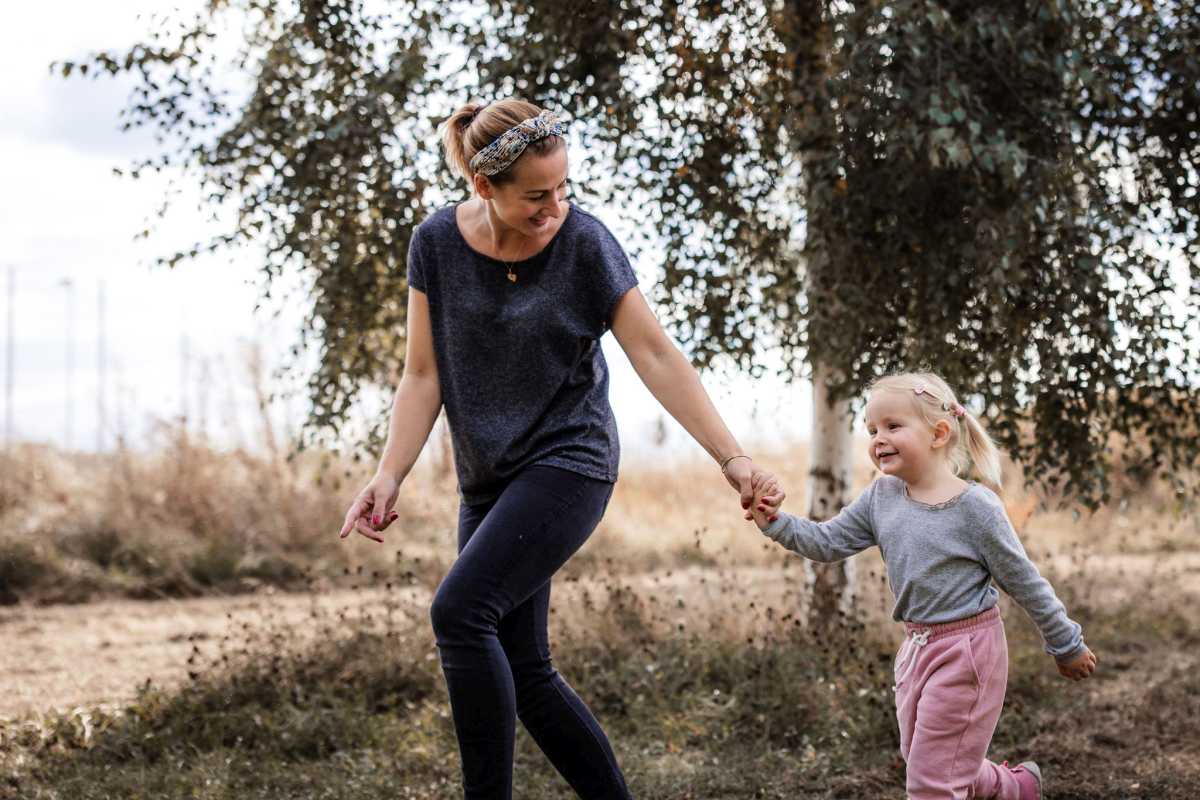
935,401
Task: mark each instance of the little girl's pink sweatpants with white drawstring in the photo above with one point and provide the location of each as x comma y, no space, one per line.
951,685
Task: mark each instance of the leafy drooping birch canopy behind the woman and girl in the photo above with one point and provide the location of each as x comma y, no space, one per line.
917,153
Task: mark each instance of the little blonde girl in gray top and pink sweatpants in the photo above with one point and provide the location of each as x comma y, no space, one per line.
944,540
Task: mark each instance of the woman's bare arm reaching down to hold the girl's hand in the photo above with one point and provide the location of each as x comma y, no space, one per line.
675,384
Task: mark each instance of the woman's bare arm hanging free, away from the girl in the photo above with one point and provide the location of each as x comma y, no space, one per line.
413,413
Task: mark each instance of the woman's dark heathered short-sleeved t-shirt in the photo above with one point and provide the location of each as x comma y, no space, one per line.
524,380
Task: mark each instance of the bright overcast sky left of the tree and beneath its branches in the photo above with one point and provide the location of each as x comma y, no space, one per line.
176,340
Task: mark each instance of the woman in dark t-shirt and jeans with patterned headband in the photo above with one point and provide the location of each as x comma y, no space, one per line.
509,297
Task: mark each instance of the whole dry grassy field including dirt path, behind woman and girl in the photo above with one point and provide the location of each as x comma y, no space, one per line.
187,624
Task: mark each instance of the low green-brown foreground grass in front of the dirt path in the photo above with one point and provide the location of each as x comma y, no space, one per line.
359,711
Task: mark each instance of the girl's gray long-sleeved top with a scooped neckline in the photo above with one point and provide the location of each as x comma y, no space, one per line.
941,560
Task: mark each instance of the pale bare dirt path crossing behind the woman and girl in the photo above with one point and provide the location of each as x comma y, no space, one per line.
61,658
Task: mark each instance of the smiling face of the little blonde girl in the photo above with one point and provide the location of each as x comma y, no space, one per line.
903,443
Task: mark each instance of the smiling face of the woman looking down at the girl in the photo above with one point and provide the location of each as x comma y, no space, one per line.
535,199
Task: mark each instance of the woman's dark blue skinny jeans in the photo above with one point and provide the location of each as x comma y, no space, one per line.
490,621
